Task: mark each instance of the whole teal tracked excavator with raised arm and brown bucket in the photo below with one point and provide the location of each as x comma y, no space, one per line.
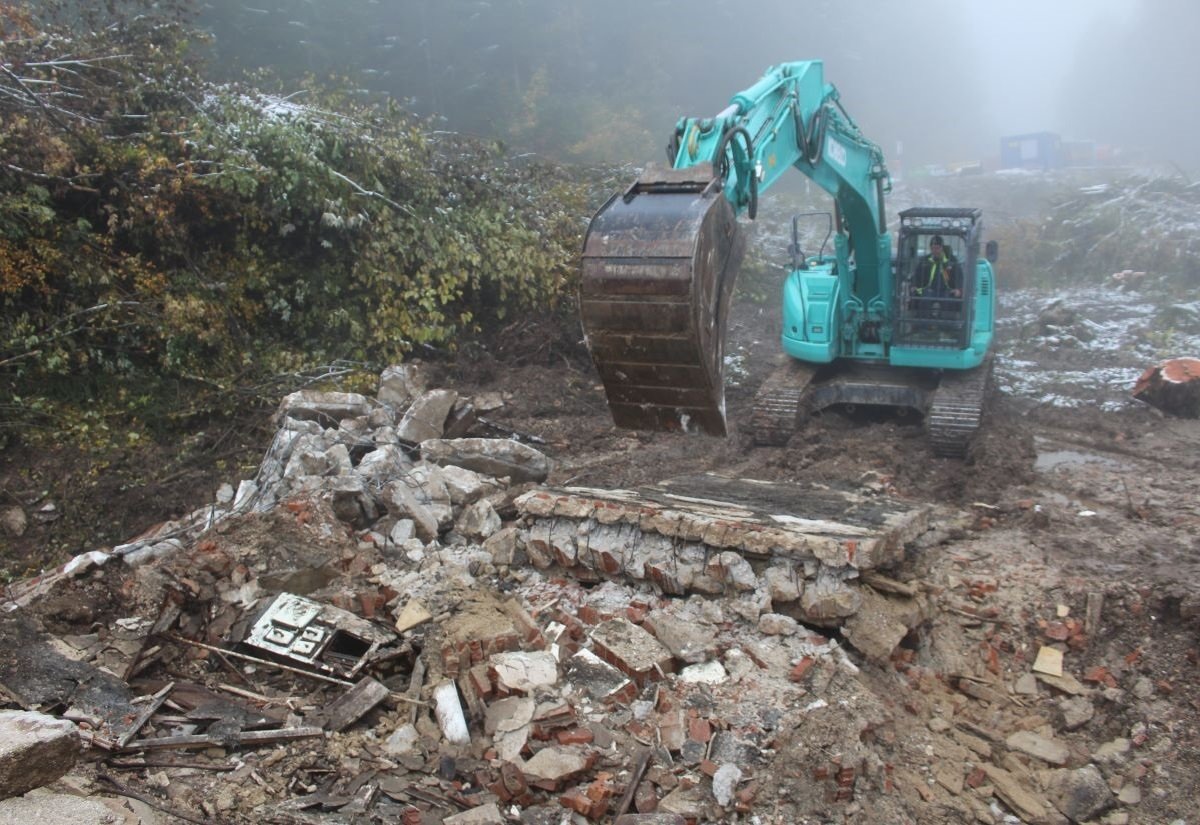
860,328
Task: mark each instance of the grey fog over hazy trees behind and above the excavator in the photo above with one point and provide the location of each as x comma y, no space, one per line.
932,81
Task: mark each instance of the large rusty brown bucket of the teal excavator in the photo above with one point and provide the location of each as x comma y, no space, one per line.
659,264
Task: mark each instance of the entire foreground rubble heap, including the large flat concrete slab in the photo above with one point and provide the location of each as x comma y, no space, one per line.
394,622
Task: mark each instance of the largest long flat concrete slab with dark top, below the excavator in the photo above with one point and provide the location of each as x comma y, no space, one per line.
715,535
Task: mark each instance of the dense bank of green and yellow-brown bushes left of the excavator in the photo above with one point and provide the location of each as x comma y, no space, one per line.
165,238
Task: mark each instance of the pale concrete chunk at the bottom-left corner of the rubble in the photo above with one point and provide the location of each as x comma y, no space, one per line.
35,750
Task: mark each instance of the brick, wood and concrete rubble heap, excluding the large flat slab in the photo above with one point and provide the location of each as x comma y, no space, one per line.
356,633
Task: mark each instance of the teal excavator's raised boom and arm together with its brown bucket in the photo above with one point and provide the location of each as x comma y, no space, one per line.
661,260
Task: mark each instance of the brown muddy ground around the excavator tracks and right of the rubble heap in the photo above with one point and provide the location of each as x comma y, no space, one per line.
1063,502
